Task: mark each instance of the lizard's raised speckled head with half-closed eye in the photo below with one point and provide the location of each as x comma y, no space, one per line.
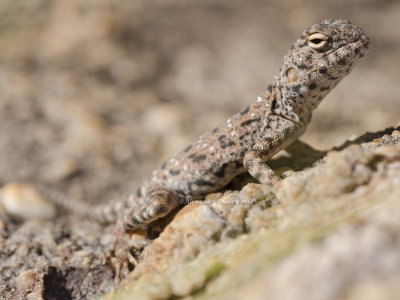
323,55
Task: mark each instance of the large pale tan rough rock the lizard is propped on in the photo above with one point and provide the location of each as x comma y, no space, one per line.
329,232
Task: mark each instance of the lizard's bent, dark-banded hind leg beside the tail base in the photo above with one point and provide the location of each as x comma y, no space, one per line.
158,203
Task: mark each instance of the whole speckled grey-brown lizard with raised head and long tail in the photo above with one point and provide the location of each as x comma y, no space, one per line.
321,57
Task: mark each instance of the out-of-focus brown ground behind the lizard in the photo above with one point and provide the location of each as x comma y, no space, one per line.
95,93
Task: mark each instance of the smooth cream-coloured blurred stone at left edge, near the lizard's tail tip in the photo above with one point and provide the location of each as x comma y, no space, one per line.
23,201
